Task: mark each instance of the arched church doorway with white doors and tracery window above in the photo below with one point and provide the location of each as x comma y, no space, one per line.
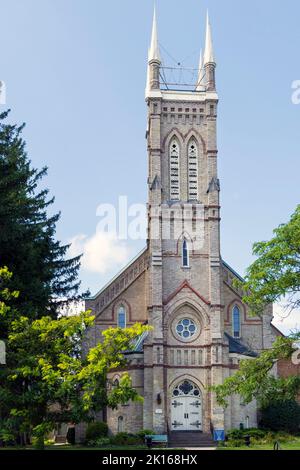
186,407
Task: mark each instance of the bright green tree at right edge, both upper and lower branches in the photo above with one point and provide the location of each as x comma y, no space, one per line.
273,276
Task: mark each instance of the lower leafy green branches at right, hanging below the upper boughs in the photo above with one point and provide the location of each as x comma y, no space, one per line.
253,380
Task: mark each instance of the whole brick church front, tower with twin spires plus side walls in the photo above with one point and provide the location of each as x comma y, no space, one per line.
179,284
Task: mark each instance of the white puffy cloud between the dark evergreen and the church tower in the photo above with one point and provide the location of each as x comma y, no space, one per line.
102,252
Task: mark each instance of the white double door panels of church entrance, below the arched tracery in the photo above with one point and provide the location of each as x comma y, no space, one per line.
186,413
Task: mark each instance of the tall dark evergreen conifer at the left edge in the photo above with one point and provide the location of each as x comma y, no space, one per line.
27,234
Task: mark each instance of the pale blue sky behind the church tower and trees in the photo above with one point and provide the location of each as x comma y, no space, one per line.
75,72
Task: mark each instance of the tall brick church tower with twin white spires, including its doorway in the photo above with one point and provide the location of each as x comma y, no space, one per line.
184,250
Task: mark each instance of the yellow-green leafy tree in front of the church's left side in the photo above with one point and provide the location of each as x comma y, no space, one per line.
47,379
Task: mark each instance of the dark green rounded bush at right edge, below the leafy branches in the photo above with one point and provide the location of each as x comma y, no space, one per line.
282,416
